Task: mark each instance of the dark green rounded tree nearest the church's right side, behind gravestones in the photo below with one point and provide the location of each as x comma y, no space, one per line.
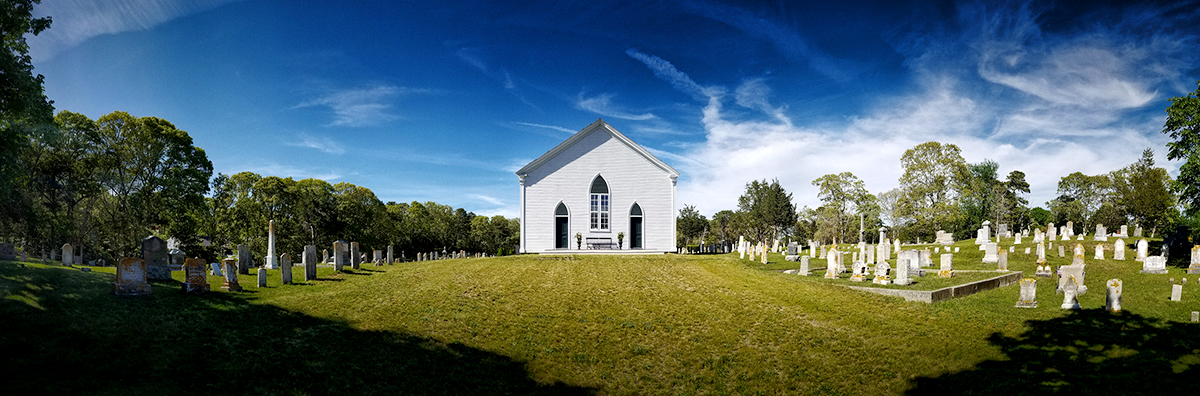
767,211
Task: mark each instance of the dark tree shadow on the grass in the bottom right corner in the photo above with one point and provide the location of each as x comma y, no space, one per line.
1089,352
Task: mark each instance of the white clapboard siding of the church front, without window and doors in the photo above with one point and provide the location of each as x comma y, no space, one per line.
566,175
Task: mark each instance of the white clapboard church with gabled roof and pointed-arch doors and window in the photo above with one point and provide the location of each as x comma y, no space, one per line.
578,197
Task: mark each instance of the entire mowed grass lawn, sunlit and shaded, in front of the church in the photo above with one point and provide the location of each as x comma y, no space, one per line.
608,326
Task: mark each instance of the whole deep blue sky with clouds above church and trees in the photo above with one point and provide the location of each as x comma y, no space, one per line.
443,101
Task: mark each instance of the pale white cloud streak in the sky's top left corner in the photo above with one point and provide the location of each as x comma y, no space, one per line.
77,21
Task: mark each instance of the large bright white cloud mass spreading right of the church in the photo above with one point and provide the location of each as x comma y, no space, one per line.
1063,116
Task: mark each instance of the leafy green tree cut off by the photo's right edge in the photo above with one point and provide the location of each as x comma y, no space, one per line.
1184,127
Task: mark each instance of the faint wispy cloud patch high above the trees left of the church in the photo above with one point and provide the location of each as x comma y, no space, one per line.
364,106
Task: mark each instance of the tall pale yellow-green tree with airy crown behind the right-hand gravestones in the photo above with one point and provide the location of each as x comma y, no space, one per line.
934,178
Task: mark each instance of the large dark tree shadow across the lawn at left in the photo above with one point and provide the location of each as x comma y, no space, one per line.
64,333
